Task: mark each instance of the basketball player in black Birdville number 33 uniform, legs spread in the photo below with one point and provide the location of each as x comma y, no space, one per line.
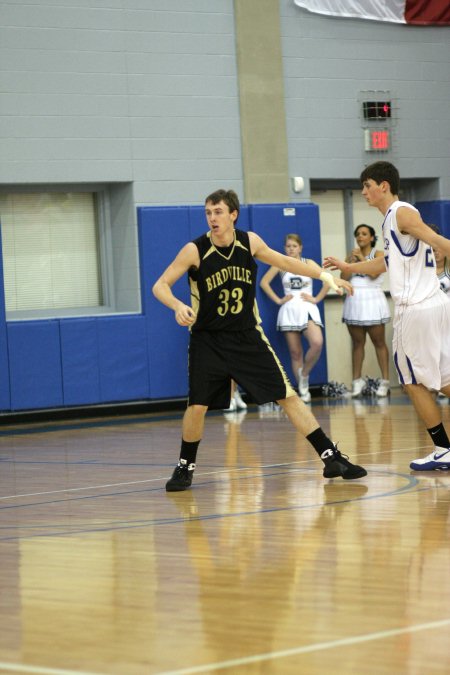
227,341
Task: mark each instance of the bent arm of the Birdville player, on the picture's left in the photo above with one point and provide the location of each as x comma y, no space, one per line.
162,289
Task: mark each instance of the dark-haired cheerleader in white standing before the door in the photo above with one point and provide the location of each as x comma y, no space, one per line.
366,311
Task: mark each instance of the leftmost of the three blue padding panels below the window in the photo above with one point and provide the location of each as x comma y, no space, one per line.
35,364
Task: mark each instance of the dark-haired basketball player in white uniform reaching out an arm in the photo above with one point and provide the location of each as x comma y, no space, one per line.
421,339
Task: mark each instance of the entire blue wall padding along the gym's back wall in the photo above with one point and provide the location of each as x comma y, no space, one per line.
49,364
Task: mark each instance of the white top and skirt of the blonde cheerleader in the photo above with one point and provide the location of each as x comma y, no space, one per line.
294,314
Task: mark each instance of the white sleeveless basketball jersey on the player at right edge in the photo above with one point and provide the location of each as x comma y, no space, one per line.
410,262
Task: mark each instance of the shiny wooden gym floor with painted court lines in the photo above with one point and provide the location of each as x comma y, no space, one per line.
262,567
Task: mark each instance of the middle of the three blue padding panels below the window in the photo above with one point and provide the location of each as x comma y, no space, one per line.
80,361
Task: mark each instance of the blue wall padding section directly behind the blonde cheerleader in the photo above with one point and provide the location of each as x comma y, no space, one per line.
273,222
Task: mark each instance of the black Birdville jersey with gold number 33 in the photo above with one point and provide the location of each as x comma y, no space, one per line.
223,286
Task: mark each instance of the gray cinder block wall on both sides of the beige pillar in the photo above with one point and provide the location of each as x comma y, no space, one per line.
146,92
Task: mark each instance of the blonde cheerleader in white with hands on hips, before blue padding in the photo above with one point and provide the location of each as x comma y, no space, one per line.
298,314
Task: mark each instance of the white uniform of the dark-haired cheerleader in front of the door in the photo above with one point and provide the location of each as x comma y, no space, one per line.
368,305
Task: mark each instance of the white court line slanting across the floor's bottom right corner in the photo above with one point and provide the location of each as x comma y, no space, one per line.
317,647
